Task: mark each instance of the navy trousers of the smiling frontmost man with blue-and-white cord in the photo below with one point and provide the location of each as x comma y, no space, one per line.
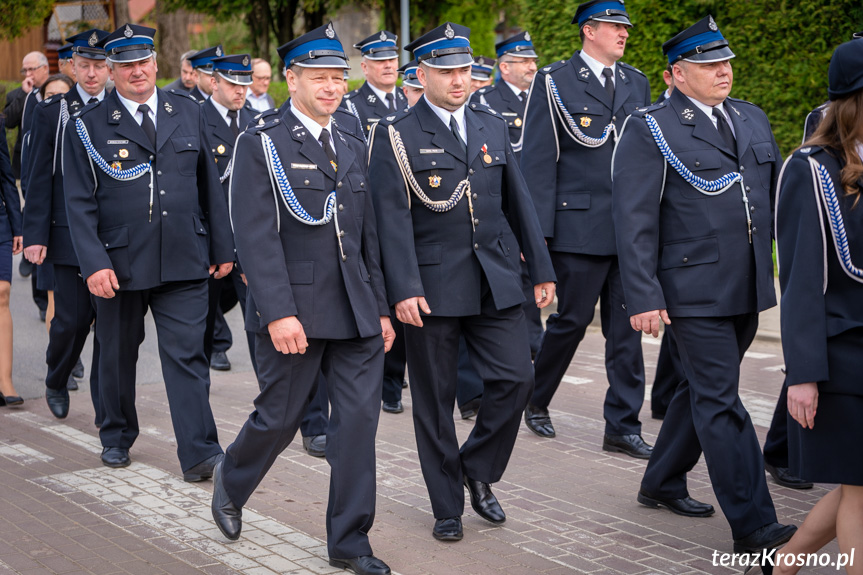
352,369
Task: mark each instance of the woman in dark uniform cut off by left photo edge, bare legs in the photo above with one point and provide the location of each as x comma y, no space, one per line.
10,244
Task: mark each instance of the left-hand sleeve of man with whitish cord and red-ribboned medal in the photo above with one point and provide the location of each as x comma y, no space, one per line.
395,224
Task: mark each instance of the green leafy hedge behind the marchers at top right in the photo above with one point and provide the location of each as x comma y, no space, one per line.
783,47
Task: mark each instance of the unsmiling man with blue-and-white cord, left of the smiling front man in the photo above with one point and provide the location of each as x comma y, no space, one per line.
140,181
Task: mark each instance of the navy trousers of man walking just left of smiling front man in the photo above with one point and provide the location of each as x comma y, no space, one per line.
179,312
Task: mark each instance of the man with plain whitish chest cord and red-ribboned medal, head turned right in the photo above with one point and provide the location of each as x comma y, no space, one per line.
447,188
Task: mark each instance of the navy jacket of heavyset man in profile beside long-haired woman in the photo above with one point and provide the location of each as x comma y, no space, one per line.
679,249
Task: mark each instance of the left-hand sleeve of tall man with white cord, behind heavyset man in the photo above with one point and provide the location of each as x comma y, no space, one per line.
539,153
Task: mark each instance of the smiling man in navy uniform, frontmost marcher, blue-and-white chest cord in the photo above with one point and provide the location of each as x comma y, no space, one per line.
302,212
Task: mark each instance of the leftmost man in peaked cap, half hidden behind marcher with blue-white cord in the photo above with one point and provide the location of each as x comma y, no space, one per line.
46,227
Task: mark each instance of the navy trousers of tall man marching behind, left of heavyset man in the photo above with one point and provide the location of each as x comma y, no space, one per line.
581,280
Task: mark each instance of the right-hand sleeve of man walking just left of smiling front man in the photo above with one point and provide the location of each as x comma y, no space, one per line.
213,202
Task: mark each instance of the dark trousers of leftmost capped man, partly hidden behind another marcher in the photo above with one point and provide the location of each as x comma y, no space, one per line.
74,312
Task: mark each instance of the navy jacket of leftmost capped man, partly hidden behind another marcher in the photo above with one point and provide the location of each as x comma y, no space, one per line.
45,221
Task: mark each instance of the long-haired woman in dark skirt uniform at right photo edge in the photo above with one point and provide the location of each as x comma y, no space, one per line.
819,227
